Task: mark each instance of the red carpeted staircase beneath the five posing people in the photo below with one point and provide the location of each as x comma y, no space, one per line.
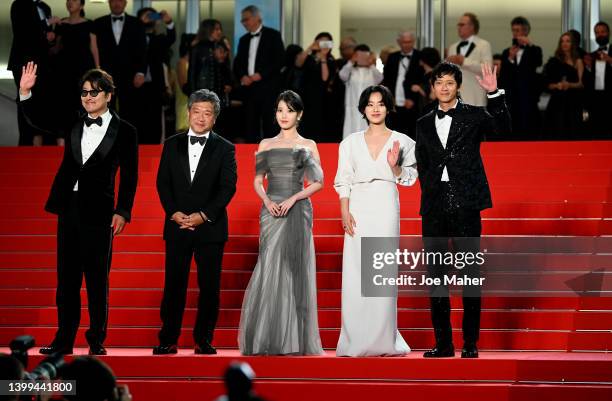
542,189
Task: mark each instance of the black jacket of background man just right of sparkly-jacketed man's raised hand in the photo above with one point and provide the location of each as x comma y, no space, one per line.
521,81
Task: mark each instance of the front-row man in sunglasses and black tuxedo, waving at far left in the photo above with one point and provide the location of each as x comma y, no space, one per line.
83,197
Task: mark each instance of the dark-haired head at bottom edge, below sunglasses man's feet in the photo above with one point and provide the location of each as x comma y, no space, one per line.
96,380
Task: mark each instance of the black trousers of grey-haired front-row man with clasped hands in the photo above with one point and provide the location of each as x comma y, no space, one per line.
208,257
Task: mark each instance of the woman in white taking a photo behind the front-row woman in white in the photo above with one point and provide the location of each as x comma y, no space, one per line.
357,75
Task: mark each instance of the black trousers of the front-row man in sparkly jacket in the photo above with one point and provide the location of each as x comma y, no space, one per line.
442,226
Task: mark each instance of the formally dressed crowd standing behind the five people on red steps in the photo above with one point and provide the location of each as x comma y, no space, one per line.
563,97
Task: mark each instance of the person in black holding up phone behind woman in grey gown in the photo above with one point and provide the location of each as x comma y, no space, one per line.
318,74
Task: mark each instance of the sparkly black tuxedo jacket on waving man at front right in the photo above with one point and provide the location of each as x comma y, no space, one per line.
461,156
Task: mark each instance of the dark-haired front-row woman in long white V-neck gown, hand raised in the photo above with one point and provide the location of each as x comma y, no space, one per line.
370,165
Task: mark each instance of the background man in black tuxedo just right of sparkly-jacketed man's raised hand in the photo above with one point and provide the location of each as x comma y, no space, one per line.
521,81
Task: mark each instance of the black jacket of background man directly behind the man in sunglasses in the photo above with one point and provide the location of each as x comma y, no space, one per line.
127,58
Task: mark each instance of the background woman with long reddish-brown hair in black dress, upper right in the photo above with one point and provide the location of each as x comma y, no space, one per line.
563,76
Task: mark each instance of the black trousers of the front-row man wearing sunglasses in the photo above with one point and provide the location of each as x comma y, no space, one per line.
83,249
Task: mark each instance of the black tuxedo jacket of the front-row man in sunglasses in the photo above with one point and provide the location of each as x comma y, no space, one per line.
118,150
